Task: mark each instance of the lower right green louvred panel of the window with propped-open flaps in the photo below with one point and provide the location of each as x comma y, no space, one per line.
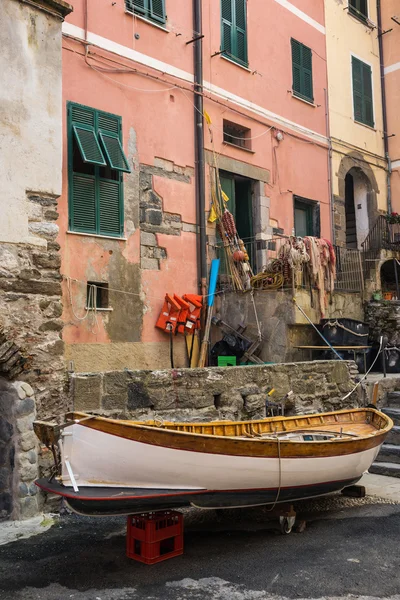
110,211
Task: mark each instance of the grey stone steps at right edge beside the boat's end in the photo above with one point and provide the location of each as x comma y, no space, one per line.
388,460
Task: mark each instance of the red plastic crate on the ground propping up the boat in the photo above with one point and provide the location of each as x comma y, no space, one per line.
153,537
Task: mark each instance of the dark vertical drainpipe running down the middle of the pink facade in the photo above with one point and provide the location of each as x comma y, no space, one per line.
199,146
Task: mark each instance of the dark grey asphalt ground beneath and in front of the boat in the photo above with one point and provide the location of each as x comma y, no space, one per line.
234,556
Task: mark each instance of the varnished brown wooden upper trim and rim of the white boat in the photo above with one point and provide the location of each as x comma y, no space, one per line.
221,437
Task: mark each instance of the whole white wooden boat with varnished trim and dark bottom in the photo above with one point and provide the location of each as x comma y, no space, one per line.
109,466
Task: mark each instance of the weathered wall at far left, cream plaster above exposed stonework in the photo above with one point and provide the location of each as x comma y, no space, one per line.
31,348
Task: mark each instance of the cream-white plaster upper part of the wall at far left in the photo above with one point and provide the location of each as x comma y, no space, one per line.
30,114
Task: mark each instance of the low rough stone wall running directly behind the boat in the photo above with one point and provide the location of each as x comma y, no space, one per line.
214,393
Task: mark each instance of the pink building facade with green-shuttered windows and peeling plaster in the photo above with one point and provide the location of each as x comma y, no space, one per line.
128,216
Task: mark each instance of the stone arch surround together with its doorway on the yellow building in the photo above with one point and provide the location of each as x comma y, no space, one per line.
358,188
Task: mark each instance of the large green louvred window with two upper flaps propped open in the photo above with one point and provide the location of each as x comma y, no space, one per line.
96,162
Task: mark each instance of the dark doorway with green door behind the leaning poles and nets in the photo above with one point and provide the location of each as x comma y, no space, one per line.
240,193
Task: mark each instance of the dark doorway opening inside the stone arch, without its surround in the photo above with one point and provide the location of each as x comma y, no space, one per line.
356,207
